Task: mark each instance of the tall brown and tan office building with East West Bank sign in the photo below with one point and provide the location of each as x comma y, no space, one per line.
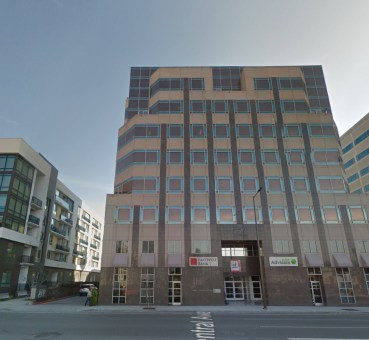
196,146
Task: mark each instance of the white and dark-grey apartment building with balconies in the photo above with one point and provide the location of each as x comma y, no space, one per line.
39,219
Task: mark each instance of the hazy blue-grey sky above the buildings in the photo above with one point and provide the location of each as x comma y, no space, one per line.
64,65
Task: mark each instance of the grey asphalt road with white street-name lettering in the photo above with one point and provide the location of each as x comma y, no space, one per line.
157,325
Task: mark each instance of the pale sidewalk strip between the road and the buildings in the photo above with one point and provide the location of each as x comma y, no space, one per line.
76,304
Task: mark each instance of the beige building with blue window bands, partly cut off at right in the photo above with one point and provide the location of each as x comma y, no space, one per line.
355,151
